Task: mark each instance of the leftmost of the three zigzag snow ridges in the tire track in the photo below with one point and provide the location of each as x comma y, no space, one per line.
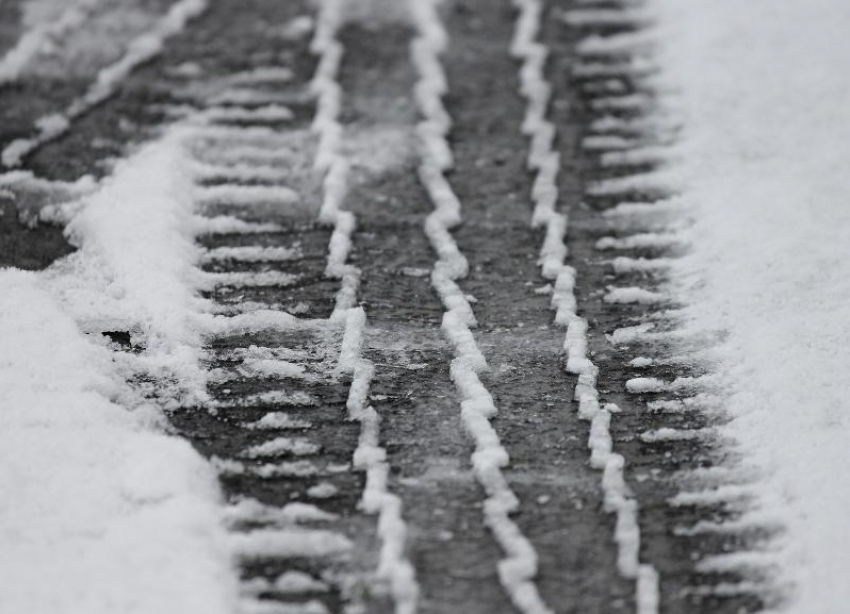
369,456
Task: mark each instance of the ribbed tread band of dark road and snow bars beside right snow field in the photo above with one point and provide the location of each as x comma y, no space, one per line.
630,230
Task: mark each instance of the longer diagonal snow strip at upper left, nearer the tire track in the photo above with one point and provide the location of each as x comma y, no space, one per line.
140,50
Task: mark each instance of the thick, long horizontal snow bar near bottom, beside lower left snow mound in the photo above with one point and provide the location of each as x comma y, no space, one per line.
289,543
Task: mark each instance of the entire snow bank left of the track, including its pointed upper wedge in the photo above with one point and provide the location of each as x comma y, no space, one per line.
102,512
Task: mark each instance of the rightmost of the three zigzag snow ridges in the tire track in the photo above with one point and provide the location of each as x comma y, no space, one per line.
545,162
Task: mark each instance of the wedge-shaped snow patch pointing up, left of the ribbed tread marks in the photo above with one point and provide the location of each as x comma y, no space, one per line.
135,267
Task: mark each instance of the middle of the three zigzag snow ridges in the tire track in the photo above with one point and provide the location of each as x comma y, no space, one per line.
519,567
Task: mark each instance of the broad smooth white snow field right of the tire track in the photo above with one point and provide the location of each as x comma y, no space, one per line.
763,92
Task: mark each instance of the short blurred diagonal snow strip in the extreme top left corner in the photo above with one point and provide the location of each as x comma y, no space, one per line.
36,40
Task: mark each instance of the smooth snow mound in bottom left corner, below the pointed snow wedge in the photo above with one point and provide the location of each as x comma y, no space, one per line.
109,514
